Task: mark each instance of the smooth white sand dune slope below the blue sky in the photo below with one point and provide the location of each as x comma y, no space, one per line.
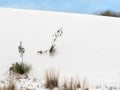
89,47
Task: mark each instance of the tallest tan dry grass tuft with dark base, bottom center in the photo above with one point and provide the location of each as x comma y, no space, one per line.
51,78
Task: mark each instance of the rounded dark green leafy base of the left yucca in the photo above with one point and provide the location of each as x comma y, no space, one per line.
20,68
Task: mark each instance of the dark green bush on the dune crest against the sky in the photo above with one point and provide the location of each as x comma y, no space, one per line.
110,13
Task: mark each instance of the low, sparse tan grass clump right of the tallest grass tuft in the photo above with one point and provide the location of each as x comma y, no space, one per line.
71,84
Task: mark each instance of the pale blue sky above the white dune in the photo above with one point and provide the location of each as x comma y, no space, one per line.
74,6
